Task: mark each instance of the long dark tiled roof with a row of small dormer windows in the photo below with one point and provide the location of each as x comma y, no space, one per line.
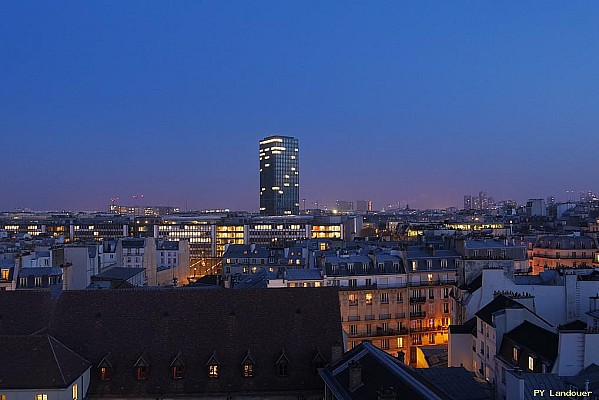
195,323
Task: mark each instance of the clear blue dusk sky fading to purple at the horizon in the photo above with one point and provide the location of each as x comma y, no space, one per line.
416,102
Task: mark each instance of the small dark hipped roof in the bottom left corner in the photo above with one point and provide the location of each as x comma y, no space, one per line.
34,362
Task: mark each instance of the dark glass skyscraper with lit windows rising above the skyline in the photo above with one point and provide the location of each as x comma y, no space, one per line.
279,176
